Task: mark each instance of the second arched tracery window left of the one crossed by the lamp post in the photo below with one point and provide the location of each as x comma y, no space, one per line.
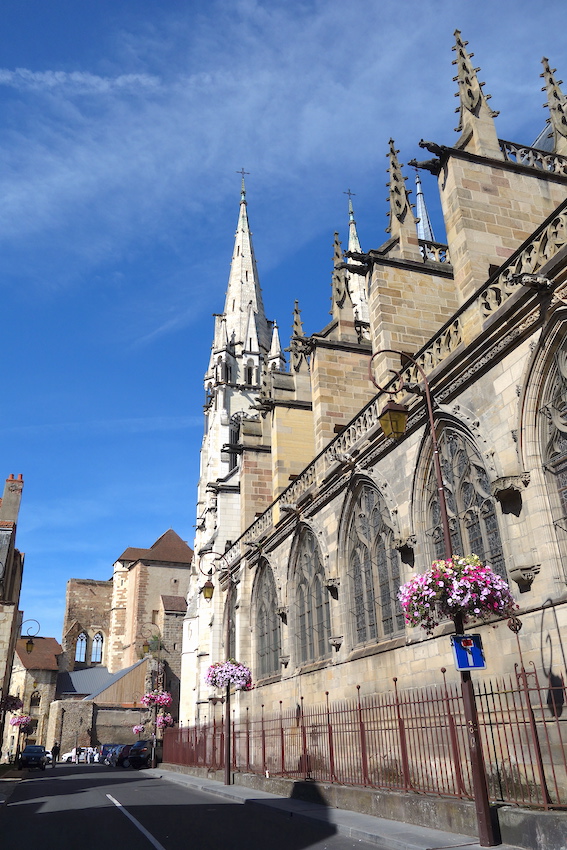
313,619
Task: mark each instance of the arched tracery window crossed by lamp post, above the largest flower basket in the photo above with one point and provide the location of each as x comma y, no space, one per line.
472,510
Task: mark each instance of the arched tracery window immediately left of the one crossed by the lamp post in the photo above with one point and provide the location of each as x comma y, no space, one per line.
374,568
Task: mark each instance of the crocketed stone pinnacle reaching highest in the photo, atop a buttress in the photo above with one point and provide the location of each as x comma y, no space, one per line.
476,118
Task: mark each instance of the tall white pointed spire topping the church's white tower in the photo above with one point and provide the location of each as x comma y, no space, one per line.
243,294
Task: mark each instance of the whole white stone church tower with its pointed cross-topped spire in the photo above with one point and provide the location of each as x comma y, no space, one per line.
243,343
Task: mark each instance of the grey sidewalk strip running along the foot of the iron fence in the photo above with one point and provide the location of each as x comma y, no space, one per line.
384,834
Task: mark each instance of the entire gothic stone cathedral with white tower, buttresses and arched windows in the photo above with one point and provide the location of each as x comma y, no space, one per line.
310,516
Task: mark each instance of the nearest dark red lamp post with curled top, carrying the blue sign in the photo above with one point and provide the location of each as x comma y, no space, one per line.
391,416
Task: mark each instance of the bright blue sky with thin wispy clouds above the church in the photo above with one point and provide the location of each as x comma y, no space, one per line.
122,126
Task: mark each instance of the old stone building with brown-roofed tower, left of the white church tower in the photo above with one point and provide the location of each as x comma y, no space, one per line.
121,638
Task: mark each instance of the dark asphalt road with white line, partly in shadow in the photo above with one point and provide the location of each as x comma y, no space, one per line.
79,807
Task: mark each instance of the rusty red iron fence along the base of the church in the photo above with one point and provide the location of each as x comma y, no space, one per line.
414,740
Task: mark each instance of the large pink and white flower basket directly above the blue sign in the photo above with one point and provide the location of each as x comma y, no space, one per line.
458,585
